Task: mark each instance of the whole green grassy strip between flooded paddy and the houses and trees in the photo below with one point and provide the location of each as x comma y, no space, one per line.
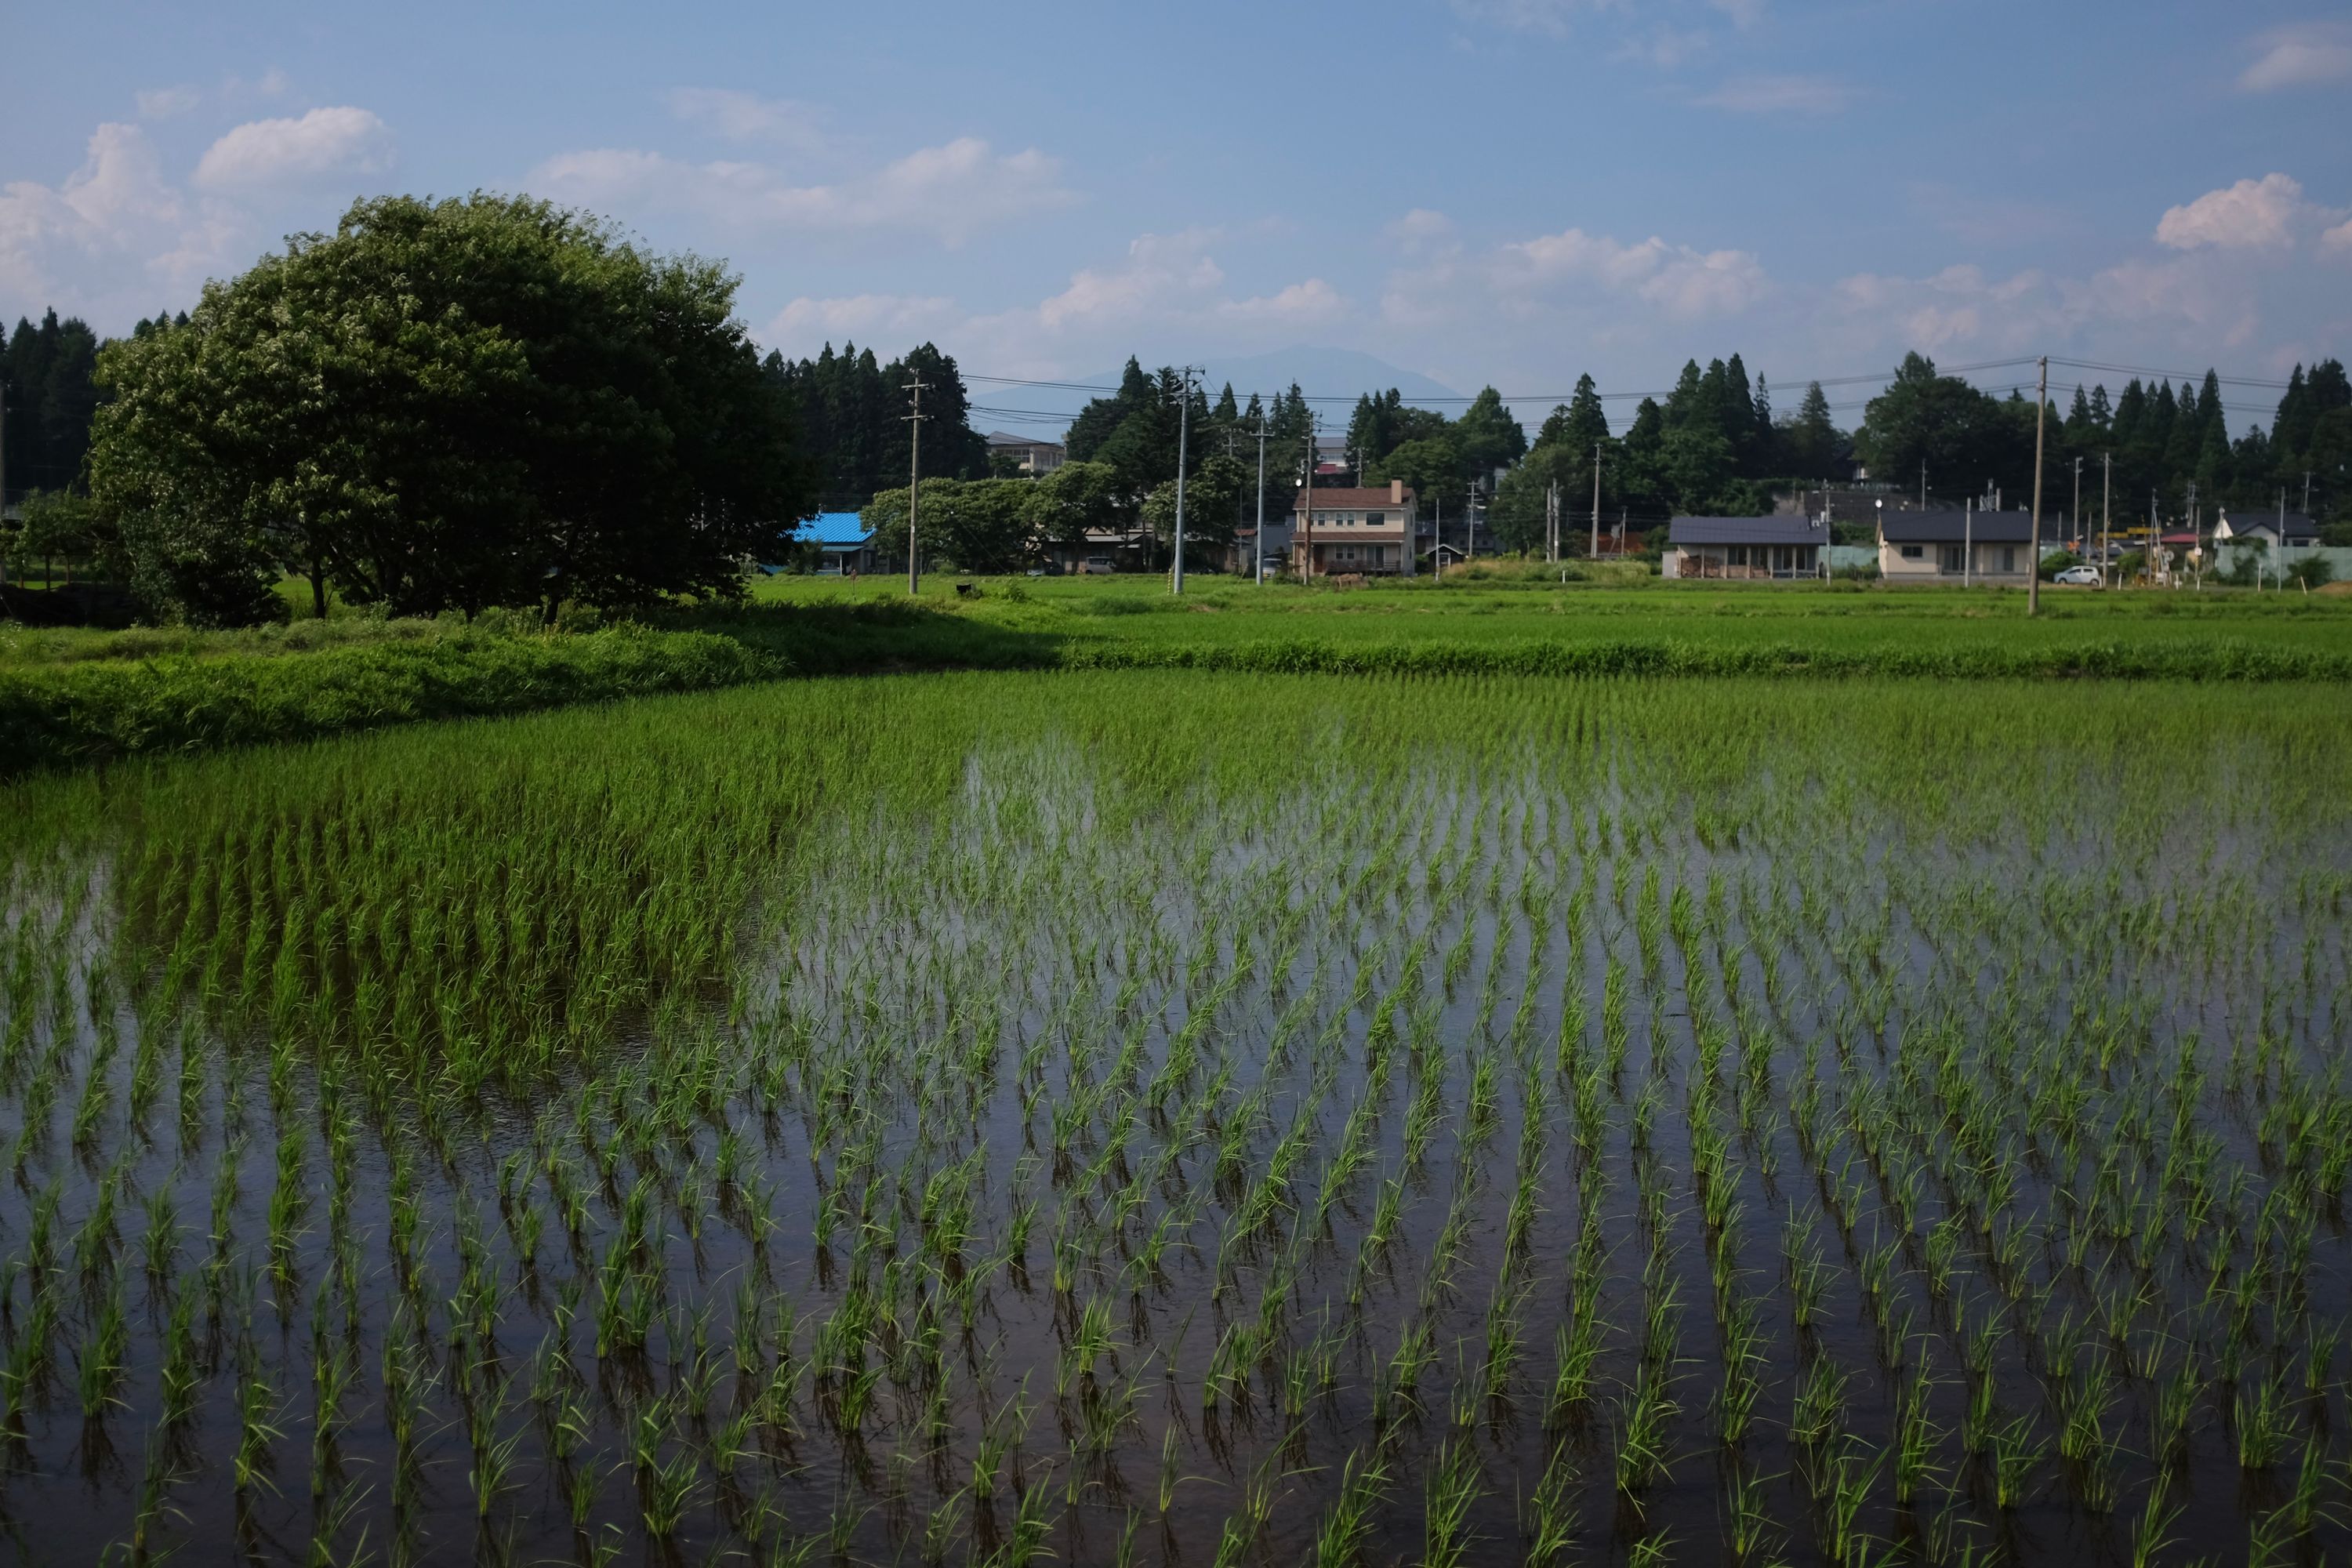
83,697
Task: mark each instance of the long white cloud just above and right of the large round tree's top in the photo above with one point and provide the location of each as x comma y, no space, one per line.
951,192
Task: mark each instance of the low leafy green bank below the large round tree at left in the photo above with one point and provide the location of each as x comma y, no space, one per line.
98,711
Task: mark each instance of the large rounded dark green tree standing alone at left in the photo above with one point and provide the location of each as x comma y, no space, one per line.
450,406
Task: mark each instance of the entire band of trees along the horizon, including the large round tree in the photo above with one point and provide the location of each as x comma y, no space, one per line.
502,403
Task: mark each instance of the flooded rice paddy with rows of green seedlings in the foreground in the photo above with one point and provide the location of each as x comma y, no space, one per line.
1194,1120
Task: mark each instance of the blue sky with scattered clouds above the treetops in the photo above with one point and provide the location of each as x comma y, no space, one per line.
1483,192
